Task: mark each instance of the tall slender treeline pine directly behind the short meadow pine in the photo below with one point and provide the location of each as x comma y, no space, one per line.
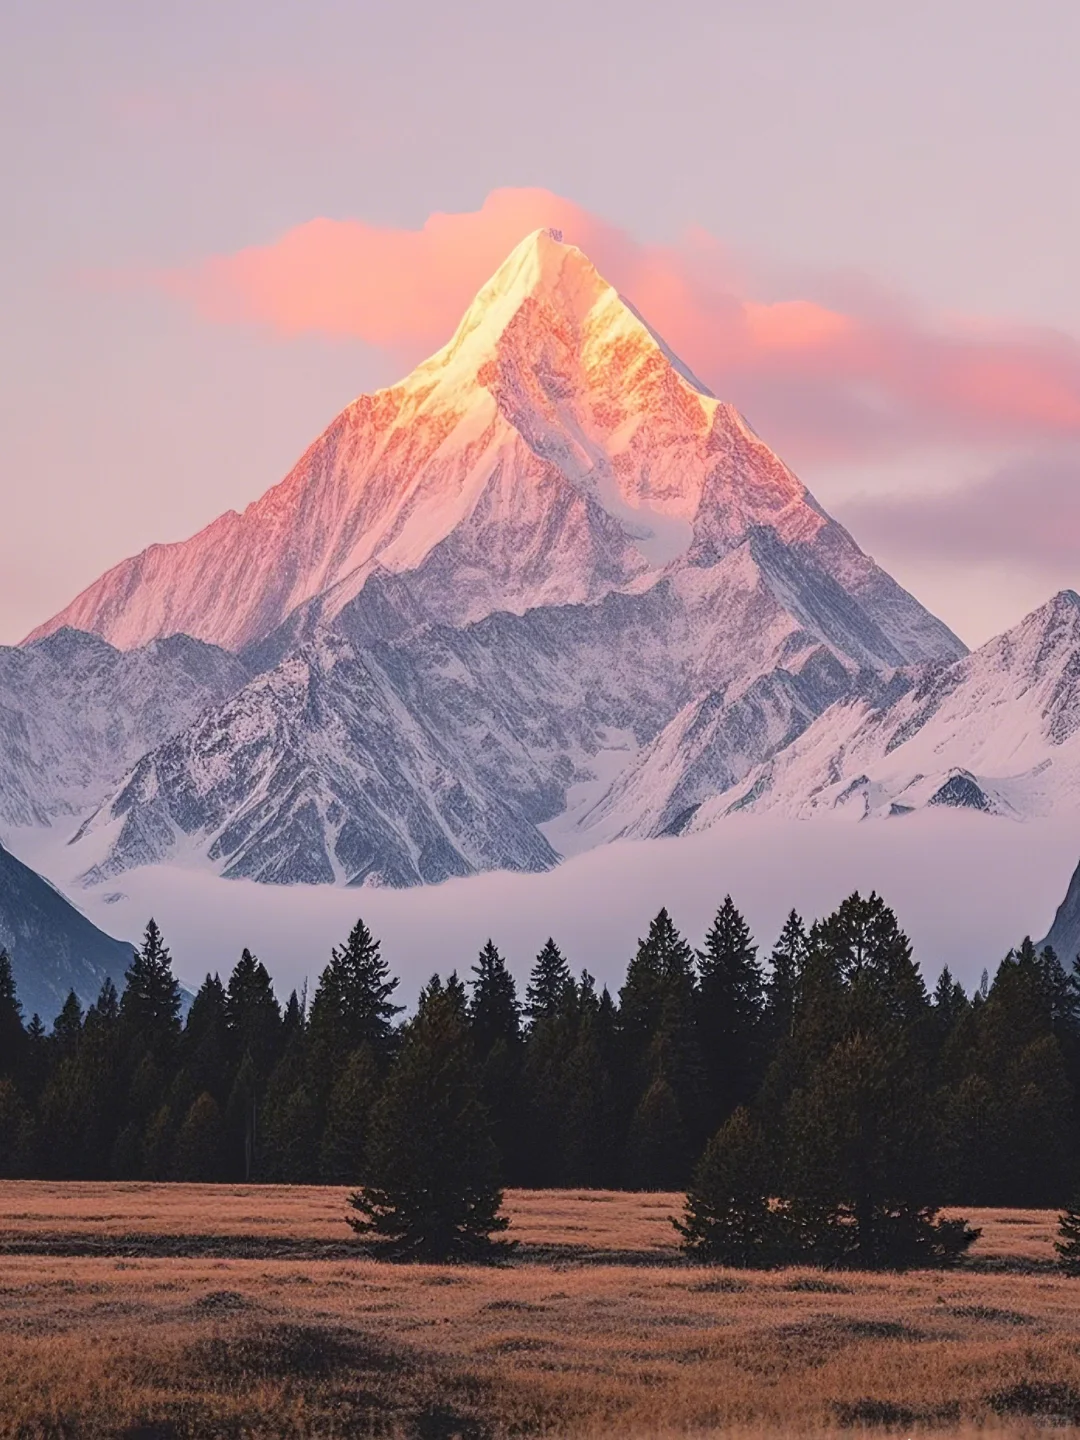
731,1003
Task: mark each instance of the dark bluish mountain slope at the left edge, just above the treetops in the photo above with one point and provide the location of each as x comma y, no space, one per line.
54,948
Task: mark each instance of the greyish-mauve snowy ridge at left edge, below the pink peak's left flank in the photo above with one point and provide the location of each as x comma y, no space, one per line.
76,715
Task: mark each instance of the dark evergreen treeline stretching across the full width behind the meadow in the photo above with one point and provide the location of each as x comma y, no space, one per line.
826,1075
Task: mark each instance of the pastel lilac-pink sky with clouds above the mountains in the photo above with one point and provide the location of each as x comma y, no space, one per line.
859,221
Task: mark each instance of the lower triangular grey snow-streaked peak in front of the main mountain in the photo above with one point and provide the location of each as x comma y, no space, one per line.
315,774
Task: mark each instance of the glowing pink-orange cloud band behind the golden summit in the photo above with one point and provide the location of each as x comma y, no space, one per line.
819,381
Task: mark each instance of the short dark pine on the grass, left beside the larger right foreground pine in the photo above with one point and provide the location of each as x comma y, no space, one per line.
728,1215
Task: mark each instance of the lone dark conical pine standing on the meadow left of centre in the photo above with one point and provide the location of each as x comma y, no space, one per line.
431,1189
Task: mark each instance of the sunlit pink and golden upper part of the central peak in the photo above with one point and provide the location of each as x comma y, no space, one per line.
552,453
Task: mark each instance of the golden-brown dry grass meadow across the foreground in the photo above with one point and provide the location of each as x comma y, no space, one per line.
168,1311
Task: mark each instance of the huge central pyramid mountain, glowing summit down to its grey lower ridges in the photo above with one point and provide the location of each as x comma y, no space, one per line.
546,555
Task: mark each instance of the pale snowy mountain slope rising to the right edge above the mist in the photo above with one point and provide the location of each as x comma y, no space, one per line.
997,732
